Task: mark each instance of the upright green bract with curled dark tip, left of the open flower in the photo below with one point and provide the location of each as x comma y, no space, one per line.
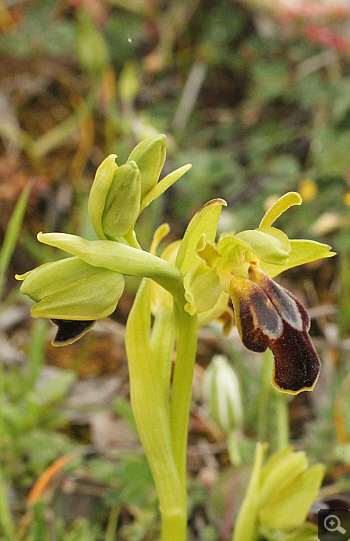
204,221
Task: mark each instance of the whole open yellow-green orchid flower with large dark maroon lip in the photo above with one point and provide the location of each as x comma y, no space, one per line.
267,316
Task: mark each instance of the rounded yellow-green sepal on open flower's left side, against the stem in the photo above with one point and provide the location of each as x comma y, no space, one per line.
202,286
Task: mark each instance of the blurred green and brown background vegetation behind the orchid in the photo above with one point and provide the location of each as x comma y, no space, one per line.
259,108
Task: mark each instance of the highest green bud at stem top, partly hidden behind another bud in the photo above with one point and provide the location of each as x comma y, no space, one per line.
150,157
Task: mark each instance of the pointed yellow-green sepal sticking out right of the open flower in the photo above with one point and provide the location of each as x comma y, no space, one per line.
302,251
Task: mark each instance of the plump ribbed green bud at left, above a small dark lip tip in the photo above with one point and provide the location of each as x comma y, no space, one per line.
71,289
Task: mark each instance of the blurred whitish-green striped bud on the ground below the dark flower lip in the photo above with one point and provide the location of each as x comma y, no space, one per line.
221,393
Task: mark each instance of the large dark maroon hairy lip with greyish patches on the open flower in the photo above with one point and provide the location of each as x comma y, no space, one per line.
268,316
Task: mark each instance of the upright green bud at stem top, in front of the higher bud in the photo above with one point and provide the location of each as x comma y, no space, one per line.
114,201
